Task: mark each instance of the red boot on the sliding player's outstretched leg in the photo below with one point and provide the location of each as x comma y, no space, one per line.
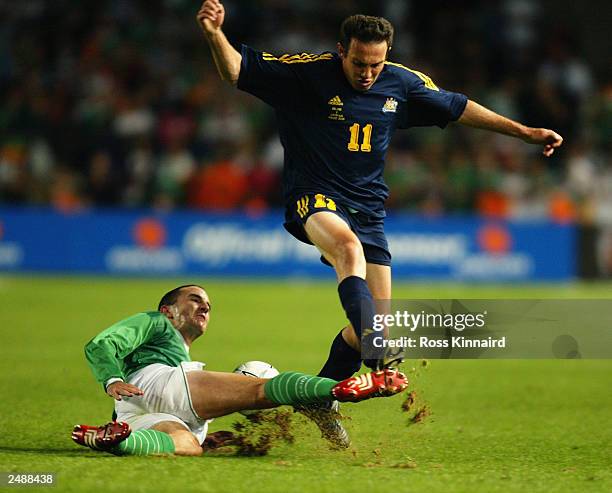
381,383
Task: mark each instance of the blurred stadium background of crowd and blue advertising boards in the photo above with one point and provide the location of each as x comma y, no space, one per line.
112,115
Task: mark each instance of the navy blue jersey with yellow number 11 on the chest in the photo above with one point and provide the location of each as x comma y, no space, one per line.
336,138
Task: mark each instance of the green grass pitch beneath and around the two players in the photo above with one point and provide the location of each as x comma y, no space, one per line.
494,425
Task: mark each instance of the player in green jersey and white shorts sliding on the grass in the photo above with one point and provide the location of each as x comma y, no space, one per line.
164,401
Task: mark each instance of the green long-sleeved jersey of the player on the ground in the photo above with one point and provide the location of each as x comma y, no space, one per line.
134,343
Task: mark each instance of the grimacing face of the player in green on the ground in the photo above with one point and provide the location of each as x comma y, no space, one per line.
191,312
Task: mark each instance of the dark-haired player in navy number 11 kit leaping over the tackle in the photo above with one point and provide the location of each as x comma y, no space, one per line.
336,115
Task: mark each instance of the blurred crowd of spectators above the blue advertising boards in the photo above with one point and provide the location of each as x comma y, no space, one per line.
117,103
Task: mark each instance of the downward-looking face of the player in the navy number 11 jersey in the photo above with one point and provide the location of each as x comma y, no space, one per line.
363,62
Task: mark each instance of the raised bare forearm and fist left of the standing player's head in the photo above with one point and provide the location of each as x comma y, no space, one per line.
210,17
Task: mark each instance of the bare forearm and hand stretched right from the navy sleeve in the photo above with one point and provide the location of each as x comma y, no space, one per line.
478,116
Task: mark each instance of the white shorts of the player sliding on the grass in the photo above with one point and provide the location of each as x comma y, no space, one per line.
166,398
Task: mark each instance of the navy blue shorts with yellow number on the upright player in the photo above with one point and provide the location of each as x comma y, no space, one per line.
369,230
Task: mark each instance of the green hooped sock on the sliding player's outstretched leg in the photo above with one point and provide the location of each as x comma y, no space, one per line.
291,387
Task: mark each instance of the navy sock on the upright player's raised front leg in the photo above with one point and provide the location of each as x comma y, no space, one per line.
359,306
